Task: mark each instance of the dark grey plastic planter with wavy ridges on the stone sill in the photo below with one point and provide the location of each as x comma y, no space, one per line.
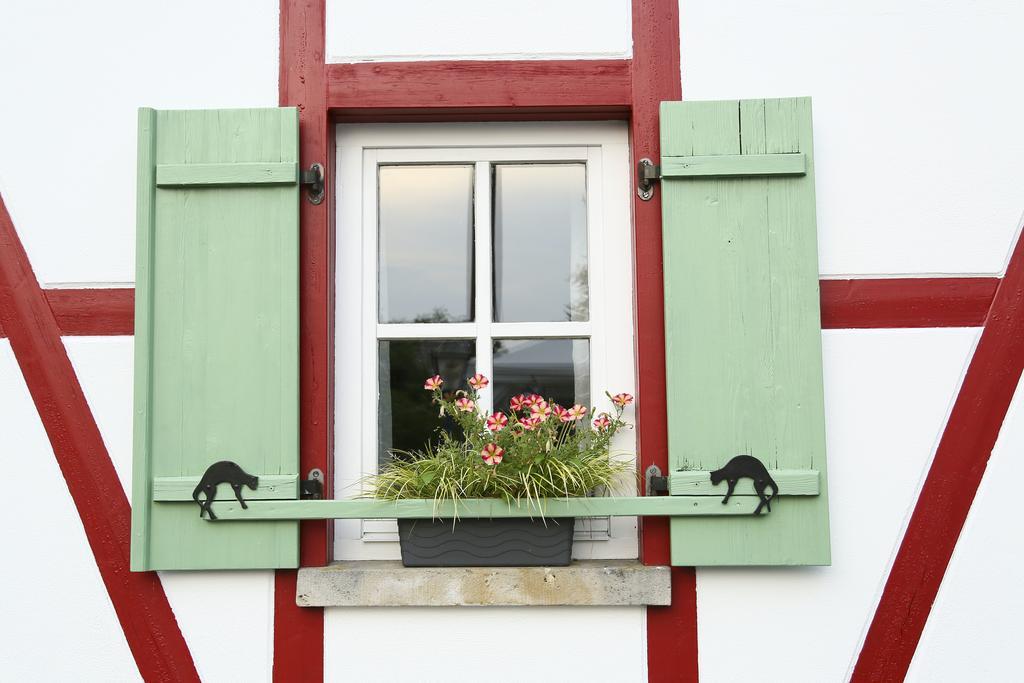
488,543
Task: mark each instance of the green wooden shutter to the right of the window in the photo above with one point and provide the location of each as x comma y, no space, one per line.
743,324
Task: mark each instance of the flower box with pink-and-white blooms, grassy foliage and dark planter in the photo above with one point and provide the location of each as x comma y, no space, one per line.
536,451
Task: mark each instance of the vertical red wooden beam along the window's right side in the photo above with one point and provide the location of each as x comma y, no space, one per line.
672,632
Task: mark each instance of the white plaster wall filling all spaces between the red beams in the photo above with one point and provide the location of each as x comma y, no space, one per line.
917,154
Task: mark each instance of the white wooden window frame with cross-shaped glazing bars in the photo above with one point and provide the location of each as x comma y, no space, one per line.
604,147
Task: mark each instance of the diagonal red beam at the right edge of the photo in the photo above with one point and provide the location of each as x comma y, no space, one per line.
951,487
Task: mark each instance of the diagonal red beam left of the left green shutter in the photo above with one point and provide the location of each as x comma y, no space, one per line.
139,600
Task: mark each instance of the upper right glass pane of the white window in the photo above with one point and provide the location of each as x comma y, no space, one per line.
541,243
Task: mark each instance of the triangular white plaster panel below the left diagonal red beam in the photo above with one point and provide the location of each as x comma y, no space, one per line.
57,623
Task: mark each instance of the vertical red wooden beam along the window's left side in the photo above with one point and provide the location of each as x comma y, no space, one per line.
298,632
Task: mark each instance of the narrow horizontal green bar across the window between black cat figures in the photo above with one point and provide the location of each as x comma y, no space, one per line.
426,509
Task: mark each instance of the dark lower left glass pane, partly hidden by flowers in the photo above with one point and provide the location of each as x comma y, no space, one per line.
407,418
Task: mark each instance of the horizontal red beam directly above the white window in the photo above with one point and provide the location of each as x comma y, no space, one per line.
436,89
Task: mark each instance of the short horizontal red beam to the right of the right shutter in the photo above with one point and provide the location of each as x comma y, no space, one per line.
907,303
